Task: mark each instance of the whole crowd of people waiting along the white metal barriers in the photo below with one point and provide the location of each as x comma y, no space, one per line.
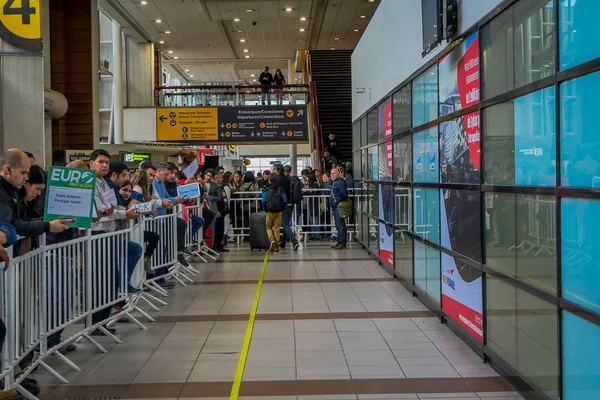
276,192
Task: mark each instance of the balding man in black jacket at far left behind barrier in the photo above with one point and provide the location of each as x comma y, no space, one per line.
14,174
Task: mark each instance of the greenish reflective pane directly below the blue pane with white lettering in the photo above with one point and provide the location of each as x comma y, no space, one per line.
520,237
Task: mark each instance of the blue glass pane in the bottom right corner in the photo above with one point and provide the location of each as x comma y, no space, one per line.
581,352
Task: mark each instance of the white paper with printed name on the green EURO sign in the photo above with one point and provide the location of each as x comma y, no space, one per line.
69,201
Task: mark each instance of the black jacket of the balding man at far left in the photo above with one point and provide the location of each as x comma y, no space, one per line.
12,211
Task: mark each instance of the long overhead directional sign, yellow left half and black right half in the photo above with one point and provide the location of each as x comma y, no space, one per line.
272,124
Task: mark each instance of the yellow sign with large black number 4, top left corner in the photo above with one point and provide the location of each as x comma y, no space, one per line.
22,18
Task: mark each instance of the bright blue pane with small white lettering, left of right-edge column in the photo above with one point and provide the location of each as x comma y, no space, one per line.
535,139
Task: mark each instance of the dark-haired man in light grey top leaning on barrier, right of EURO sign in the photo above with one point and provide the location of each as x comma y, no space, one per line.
100,162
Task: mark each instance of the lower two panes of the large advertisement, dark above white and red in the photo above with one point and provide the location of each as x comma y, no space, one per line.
462,284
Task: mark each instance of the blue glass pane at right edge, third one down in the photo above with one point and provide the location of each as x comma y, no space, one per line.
581,252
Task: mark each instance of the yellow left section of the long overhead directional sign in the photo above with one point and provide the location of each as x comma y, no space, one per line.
187,123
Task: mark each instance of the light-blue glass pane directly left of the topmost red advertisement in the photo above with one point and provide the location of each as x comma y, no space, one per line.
425,97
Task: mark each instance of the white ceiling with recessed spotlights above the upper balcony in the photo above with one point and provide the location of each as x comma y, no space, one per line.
207,40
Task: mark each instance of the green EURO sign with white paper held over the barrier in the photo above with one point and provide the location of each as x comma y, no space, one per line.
70,195
